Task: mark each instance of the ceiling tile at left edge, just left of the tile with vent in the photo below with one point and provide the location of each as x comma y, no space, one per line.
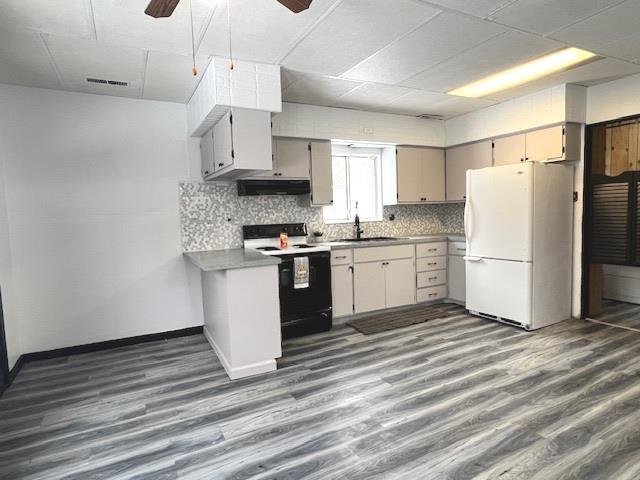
24,60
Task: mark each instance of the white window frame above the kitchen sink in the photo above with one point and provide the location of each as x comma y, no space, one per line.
349,152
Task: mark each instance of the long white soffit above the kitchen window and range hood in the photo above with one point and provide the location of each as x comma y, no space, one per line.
309,121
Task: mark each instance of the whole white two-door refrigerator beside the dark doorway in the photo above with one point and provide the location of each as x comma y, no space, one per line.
518,226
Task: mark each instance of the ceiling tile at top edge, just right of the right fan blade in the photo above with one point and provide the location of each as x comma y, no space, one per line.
354,31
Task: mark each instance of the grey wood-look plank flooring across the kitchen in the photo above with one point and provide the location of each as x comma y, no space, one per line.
457,398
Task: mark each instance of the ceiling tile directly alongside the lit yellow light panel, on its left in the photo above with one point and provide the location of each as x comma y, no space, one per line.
498,53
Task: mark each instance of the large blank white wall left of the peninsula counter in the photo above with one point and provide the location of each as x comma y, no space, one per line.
91,189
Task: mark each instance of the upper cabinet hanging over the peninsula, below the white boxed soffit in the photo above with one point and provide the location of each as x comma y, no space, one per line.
239,144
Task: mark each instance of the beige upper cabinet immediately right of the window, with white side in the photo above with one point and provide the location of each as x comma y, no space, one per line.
413,175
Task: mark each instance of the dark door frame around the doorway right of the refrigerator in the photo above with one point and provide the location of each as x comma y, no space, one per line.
587,207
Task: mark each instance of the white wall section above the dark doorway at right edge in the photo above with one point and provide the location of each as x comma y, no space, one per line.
608,101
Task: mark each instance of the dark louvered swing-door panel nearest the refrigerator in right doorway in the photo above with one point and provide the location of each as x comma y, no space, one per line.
610,222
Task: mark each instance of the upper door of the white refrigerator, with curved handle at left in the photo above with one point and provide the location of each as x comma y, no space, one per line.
499,211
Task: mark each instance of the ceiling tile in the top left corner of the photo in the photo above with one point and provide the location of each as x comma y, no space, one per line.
59,17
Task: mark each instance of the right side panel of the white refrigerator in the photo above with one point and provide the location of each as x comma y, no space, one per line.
552,243
